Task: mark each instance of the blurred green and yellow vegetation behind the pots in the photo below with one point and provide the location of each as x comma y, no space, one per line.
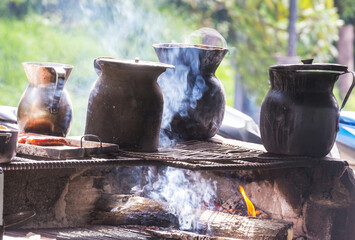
76,31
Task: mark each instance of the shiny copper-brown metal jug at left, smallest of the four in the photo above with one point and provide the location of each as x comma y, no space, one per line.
45,107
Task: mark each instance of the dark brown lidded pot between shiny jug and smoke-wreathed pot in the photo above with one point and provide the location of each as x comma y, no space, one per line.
126,104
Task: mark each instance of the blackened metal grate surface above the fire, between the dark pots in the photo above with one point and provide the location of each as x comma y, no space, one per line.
211,155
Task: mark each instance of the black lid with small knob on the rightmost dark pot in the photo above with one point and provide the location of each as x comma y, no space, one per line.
308,66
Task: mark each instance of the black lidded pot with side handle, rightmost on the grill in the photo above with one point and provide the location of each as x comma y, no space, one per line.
300,115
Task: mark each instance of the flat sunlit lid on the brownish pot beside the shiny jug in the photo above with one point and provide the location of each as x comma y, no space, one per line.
136,63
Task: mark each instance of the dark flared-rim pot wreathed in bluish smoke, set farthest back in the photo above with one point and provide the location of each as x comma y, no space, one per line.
194,96
